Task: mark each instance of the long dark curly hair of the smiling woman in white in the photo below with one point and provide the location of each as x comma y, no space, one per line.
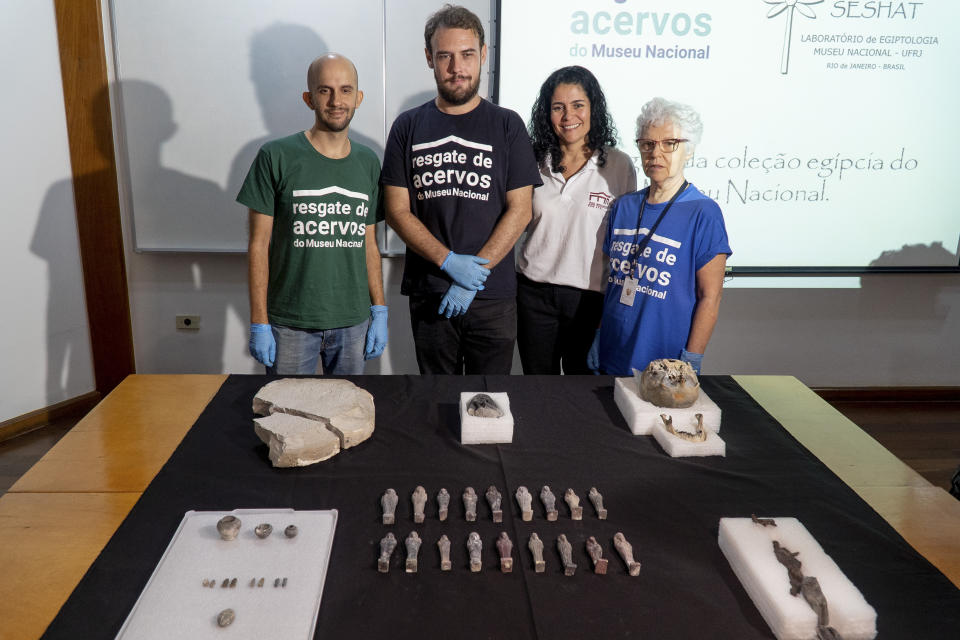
602,132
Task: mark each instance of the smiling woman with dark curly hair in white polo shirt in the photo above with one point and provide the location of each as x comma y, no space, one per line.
561,271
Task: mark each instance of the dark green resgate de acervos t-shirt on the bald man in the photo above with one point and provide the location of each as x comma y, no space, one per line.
321,208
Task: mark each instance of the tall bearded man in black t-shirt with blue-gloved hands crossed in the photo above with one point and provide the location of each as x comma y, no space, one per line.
458,177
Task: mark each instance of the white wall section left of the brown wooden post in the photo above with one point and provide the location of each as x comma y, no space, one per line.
44,342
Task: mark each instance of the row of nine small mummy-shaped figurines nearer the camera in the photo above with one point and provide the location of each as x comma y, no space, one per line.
505,549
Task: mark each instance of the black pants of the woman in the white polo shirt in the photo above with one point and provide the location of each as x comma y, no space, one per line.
555,326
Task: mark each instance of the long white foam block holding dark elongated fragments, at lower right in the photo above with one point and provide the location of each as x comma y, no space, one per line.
748,548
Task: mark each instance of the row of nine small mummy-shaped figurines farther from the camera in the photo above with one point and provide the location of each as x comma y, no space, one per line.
524,498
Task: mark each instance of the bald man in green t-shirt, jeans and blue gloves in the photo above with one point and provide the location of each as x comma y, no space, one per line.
316,289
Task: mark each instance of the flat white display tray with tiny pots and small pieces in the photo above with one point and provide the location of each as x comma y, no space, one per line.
176,604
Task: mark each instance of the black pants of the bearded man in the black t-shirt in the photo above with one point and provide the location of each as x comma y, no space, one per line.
479,342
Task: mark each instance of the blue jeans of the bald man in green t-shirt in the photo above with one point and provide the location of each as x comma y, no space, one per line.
298,350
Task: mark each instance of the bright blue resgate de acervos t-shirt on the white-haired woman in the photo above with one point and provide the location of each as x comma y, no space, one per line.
658,323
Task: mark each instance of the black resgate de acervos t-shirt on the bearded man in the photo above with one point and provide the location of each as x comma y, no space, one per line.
458,169
